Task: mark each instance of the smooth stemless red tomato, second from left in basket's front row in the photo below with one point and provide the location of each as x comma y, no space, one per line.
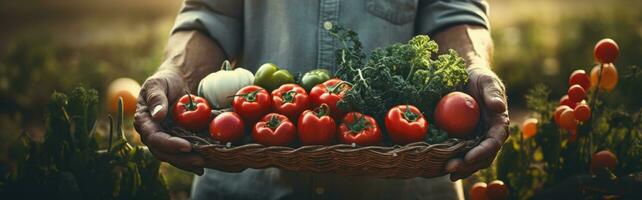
227,127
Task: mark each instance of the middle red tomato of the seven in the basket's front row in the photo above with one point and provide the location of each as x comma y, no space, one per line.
316,127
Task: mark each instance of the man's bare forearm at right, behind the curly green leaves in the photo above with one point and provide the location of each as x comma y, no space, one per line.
471,42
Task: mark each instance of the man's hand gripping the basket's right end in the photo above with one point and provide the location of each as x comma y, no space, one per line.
489,92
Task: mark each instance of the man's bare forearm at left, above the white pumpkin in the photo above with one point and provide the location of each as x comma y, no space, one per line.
193,55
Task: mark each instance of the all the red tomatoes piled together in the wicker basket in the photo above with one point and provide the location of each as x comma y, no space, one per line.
288,114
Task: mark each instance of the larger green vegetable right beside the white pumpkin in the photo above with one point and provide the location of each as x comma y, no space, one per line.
270,77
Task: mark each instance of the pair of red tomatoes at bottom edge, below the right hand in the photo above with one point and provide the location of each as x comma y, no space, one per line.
495,190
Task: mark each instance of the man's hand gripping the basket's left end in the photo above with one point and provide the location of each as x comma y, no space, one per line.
154,100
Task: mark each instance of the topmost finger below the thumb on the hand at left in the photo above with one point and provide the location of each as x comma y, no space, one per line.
153,136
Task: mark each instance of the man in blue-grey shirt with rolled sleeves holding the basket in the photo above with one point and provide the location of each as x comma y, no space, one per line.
294,35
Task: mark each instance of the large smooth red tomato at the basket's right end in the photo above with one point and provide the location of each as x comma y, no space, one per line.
457,113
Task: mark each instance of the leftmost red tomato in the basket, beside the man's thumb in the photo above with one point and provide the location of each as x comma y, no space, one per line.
192,112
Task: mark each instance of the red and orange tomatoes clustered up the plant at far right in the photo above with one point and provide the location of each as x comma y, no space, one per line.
573,108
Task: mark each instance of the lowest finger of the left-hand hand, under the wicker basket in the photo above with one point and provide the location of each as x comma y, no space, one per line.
186,161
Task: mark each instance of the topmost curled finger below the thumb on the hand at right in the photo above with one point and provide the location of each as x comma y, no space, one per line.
489,147
